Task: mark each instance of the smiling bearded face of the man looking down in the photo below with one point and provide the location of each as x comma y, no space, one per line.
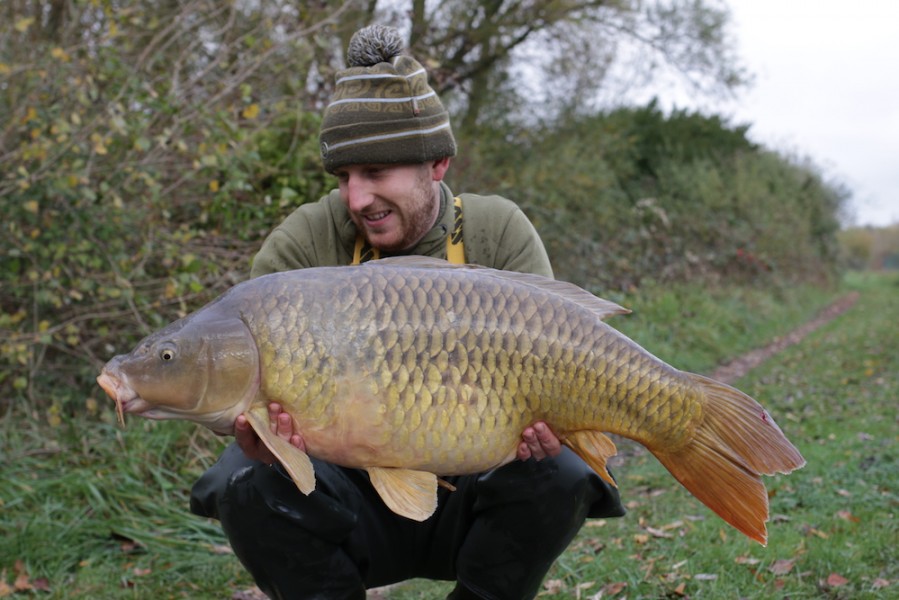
393,205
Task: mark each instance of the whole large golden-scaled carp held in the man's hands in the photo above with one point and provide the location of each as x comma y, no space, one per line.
411,369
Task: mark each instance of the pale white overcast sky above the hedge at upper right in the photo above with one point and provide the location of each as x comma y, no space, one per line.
827,87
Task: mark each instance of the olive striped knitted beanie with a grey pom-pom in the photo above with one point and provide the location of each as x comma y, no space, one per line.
383,110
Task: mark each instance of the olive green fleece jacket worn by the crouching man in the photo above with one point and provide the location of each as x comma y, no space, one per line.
495,234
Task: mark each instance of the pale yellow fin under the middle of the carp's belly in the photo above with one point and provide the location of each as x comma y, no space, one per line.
412,494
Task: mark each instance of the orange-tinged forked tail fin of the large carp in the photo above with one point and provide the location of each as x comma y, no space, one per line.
736,442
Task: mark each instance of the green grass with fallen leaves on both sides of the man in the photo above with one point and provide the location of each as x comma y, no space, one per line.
88,510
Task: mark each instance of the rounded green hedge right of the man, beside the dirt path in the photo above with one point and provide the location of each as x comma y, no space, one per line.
632,194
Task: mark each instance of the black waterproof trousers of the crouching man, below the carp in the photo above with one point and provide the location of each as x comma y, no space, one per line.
497,534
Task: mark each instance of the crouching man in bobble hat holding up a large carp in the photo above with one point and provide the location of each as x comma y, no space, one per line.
387,138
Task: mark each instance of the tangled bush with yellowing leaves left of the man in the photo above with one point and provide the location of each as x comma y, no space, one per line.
144,171
